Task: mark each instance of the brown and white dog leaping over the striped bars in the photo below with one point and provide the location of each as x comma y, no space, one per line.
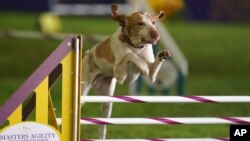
123,56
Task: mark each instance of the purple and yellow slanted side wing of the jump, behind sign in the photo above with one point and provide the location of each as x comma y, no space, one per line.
64,62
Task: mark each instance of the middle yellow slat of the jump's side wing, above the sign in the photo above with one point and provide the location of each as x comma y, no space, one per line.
42,101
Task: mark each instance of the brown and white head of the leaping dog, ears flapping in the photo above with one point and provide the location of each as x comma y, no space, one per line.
139,27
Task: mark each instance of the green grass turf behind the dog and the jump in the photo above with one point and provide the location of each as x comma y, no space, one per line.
218,65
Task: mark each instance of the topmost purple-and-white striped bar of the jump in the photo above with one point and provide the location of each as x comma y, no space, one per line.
166,99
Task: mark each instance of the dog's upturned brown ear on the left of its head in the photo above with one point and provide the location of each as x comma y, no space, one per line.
120,18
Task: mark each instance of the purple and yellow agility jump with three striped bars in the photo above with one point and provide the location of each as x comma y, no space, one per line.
65,61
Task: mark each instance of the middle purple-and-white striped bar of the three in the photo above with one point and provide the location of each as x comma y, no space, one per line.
163,120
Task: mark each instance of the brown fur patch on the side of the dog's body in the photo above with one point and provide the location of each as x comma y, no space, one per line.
103,50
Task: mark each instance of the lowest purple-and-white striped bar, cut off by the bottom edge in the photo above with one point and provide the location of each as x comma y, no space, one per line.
161,139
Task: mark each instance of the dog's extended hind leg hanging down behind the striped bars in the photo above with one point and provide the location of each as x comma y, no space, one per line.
105,86
